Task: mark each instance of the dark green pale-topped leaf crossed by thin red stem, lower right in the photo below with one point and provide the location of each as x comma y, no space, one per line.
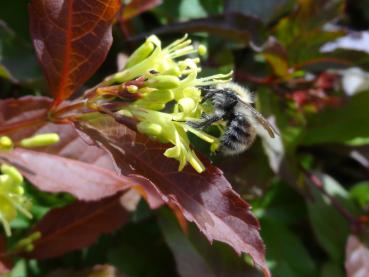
330,228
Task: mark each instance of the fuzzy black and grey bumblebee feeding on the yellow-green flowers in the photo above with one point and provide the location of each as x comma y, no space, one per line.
233,104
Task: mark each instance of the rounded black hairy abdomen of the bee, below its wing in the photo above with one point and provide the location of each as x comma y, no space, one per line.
238,135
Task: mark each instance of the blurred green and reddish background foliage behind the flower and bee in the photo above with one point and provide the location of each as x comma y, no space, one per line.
307,62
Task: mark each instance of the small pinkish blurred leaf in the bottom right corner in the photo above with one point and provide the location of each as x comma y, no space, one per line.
357,257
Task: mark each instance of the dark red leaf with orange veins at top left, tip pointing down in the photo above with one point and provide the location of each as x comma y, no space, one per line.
71,39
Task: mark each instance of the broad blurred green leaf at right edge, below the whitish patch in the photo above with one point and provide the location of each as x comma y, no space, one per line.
339,124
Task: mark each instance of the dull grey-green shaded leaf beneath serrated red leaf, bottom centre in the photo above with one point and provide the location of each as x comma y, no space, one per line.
193,254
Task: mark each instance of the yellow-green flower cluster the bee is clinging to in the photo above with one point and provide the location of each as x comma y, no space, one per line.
164,84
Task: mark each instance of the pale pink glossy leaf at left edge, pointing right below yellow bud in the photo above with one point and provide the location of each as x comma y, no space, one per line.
52,173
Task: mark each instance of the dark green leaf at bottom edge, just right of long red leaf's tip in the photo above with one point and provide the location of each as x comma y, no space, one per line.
286,255
